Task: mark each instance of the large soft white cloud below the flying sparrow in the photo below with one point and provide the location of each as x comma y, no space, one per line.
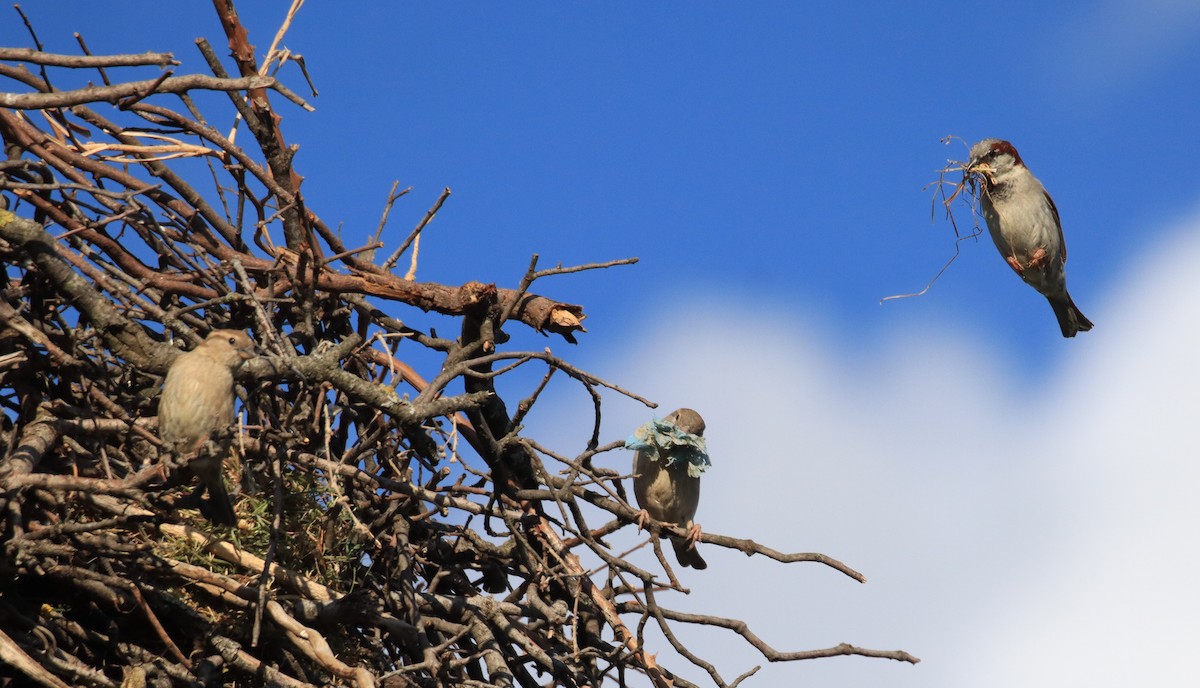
1015,531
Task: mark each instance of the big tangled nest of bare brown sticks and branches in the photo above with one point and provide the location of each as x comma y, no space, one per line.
392,534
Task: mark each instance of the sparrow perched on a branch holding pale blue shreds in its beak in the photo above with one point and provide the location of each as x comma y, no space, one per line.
671,456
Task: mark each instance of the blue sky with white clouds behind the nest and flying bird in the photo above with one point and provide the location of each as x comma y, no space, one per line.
766,161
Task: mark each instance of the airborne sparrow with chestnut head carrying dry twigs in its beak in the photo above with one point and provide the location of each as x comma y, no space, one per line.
1024,224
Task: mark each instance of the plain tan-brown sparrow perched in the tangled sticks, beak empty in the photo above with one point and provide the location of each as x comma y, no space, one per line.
197,403
